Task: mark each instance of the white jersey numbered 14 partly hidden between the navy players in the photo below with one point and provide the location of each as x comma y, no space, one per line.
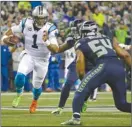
69,56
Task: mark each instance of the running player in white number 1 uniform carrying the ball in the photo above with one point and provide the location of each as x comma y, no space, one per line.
39,39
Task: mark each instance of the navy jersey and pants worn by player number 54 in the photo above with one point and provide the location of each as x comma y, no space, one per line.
98,49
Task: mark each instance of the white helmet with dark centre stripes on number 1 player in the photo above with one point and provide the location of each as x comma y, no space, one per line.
40,15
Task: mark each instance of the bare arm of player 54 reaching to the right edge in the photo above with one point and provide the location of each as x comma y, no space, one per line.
122,53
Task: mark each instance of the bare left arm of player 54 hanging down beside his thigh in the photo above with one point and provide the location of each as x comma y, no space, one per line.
80,64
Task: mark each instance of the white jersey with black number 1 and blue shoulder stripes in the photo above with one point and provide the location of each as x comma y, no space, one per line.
33,41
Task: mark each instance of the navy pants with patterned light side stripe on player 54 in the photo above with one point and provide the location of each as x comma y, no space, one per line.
109,71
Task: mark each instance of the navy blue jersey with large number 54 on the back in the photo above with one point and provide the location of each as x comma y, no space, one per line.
96,47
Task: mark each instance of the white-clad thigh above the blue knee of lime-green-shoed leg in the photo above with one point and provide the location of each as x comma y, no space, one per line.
26,64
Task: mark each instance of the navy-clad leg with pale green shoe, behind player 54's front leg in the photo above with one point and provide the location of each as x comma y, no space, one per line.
71,78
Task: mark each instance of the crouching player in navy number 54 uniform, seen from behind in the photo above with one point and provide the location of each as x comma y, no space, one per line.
108,68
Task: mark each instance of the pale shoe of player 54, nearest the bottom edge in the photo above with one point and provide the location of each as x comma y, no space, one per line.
73,121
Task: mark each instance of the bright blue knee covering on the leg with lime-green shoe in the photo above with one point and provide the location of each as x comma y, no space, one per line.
20,80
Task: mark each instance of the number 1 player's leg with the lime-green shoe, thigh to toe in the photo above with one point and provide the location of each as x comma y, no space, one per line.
26,66
